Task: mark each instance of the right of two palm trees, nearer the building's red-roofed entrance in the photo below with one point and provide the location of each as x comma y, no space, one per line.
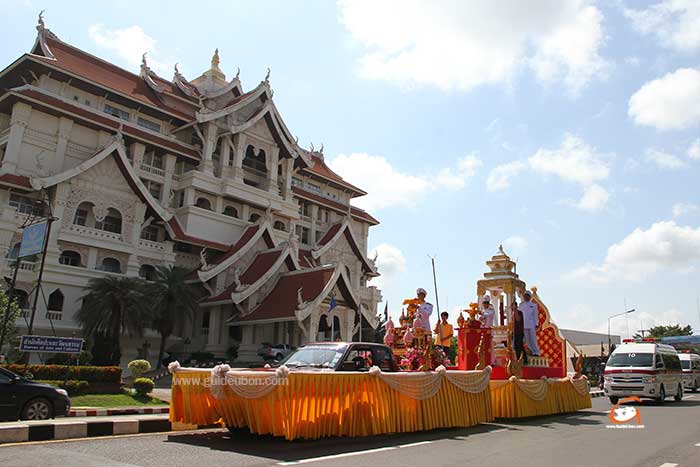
174,302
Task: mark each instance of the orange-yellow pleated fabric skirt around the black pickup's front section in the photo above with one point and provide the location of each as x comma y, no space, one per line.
312,405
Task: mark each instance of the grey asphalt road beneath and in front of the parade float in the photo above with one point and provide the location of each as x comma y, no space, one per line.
670,437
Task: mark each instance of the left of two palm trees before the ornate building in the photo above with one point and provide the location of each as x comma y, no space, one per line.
114,305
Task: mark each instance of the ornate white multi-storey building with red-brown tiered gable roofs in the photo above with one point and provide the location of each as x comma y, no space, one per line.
143,171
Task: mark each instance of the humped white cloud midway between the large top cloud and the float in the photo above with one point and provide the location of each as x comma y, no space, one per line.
575,161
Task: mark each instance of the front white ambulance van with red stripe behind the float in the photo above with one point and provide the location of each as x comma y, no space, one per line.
643,368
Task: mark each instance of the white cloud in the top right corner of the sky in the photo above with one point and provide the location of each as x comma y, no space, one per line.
674,22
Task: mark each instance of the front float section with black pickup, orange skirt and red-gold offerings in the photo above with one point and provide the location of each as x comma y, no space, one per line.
339,389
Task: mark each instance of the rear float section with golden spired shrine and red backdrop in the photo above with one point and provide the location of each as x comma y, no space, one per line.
542,386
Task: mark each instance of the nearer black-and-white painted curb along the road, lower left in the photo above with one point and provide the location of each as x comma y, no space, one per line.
57,430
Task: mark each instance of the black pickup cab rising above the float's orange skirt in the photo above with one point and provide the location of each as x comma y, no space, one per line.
342,356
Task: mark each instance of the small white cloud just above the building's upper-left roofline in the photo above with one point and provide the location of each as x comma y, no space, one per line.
130,44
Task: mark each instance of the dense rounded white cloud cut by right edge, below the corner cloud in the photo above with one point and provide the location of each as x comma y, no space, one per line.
671,102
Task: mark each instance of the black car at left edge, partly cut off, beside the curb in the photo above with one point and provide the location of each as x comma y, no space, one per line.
23,399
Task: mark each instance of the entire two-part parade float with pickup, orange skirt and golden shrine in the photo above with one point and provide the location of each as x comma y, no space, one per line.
326,397
